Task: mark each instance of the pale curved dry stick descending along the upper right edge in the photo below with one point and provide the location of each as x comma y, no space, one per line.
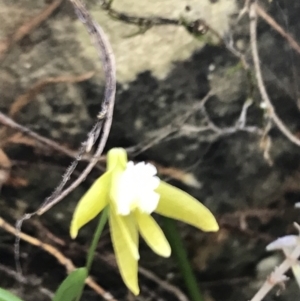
261,86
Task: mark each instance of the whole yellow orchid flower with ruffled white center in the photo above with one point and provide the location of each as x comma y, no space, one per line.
133,192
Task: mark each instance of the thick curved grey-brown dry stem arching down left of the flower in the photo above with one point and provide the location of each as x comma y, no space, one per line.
105,115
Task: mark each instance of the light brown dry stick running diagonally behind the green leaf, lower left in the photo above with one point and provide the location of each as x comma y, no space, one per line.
63,260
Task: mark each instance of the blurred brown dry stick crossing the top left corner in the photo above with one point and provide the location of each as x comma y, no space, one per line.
28,27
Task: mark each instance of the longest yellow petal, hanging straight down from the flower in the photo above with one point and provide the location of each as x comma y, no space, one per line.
122,238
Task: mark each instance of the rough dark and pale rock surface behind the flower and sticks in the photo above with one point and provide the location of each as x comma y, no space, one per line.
162,75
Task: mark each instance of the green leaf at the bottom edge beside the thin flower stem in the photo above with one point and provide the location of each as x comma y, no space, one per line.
71,287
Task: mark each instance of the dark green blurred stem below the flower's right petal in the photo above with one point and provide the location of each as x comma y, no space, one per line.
179,251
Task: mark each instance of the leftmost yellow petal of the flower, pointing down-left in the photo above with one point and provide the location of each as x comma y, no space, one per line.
91,204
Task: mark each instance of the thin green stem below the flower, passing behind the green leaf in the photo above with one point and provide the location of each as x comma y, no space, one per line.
90,257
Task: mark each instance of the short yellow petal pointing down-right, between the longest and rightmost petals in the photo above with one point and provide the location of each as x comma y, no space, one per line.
152,234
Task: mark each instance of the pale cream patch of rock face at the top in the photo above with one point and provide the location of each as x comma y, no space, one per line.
158,48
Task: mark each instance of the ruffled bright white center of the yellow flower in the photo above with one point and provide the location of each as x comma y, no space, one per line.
136,189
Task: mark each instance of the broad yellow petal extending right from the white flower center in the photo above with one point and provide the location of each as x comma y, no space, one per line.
179,205
